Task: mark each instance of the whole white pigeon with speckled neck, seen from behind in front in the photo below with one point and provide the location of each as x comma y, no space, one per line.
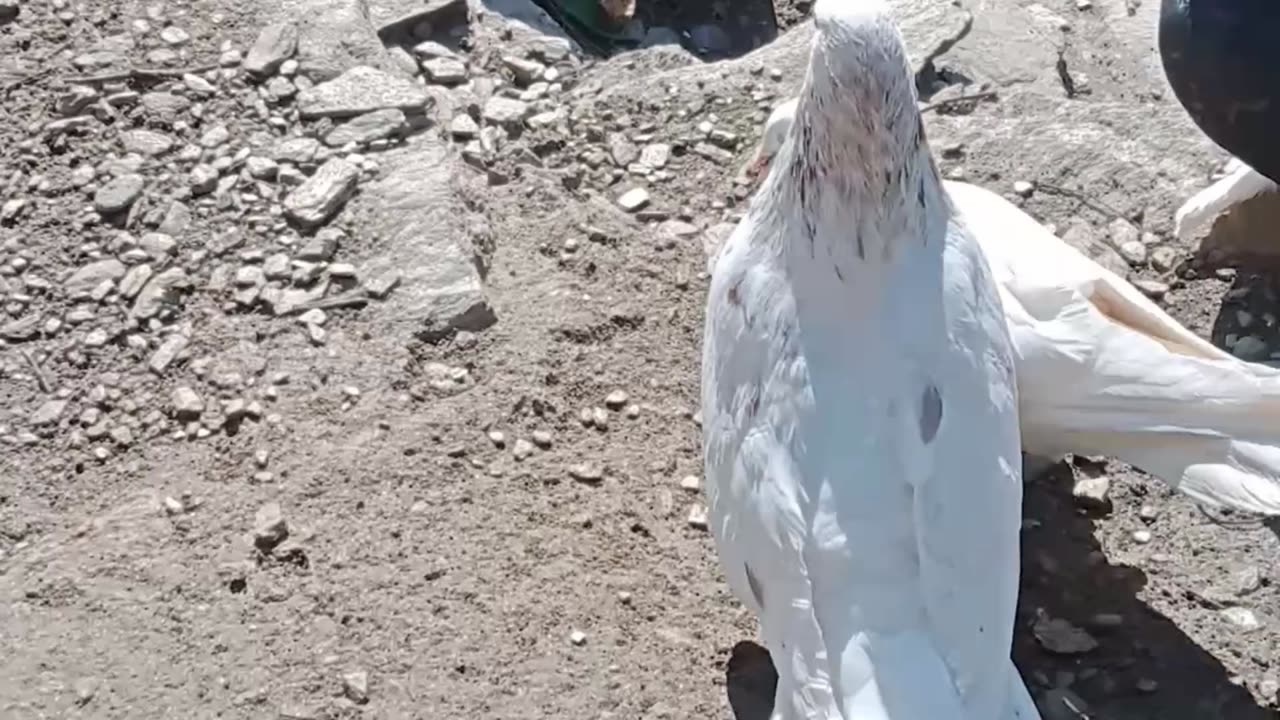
861,412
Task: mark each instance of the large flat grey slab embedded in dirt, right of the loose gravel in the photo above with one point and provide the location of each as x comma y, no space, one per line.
414,208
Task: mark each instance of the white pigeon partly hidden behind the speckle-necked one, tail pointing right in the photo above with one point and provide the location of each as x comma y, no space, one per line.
1104,371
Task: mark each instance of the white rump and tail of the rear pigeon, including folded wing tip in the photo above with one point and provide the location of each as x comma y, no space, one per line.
1108,380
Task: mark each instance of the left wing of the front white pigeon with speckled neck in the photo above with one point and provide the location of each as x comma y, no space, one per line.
756,511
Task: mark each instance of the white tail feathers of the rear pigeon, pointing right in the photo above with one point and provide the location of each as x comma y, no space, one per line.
1209,429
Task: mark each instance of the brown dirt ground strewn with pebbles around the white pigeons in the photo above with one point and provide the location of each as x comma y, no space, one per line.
323,516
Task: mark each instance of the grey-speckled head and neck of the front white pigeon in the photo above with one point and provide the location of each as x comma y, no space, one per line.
856,156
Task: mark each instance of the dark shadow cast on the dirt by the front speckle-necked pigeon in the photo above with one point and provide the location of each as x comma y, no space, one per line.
1145,668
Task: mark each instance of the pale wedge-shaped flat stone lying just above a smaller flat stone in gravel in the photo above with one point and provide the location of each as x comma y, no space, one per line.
362,90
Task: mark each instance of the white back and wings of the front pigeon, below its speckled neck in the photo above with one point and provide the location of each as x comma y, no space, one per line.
884,564
